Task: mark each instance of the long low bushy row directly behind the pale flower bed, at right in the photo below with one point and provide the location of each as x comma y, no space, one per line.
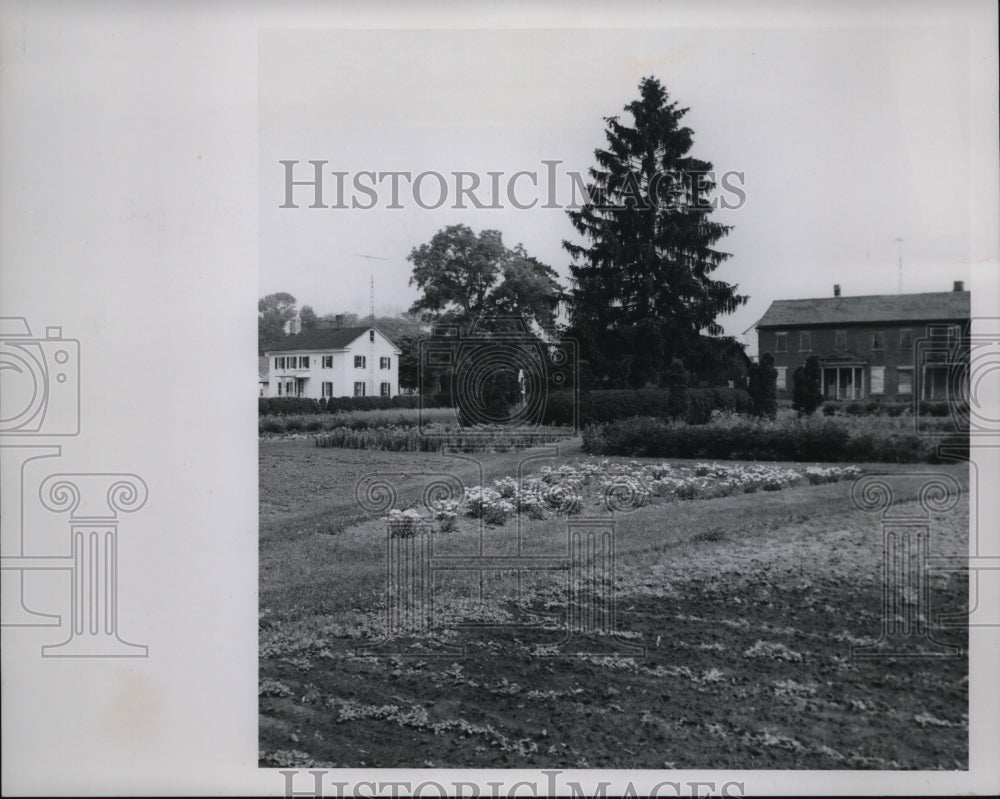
822,441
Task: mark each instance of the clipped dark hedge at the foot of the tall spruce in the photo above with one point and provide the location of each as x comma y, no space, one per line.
596,407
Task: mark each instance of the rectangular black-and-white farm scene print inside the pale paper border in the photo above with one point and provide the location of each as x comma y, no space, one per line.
614,398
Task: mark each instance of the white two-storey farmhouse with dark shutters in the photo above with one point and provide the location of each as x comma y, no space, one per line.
334,362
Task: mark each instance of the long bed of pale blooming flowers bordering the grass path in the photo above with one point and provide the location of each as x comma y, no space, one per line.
609,486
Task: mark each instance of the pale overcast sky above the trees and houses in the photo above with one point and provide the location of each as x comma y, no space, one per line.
848,138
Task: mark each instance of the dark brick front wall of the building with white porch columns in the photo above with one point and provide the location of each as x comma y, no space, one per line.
895,355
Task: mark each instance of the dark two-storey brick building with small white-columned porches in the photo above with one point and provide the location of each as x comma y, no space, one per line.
896,346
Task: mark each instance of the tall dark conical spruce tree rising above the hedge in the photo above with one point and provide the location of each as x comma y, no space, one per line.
642,290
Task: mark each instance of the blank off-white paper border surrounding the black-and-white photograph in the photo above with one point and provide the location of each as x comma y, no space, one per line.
128,216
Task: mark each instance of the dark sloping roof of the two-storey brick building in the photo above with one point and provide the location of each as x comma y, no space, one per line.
876,308
